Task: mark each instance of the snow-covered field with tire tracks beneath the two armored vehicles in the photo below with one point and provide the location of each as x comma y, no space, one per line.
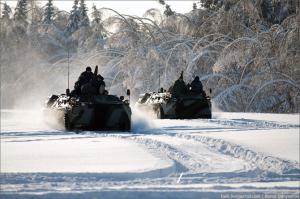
233,155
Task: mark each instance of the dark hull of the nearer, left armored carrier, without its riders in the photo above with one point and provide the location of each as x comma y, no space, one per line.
88,112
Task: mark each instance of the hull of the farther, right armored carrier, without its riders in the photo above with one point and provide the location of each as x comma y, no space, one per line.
165,106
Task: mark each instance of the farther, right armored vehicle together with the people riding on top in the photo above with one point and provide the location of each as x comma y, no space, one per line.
181,102
